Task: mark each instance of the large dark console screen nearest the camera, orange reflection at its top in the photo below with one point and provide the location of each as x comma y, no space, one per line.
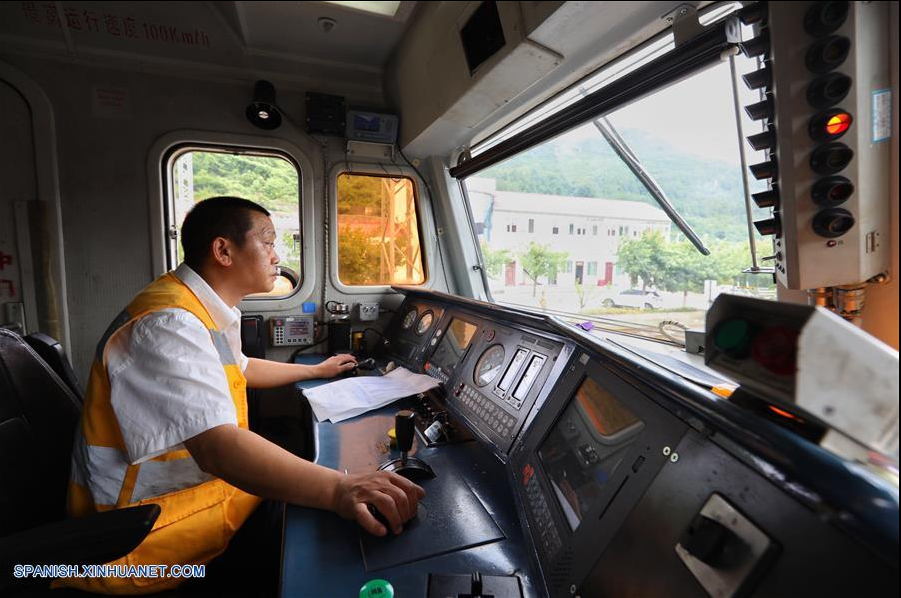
585,446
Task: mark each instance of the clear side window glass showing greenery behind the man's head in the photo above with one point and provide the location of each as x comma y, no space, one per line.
268,179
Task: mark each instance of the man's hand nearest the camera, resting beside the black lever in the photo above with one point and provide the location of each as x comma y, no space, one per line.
396,497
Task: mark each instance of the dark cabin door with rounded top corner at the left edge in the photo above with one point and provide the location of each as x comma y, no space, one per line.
18,310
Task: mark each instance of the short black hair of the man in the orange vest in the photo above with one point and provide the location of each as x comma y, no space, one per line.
227,217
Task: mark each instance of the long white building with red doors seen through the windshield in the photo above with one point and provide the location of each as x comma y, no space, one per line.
588,229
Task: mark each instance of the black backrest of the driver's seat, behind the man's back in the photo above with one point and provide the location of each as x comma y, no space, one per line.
38,418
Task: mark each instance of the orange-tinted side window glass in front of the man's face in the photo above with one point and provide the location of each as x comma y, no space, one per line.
379,240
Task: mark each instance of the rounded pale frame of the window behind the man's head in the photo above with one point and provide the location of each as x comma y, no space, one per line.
161,159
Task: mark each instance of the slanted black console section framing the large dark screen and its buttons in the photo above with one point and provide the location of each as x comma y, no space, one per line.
593,448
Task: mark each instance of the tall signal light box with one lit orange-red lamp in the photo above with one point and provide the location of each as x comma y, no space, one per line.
827,108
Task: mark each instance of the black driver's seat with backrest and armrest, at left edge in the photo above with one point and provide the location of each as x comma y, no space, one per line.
38,416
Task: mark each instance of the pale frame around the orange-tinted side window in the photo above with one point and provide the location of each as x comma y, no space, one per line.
423,215
